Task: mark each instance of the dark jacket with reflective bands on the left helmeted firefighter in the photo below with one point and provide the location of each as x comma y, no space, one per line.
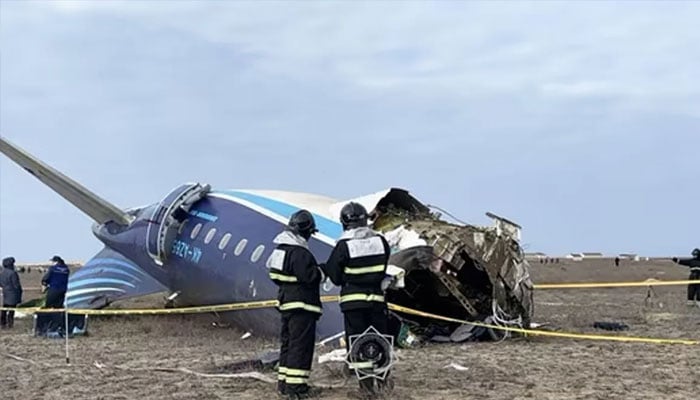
295,270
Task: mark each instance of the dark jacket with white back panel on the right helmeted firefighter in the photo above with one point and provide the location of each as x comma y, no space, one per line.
358,264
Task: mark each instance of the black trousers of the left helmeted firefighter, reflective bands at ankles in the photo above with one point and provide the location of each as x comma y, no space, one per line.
297,337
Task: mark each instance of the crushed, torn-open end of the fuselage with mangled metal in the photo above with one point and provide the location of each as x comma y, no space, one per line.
461,271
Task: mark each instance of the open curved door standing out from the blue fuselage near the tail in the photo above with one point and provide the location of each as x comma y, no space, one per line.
167,218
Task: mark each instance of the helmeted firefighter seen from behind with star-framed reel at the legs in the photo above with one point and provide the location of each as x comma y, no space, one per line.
358,265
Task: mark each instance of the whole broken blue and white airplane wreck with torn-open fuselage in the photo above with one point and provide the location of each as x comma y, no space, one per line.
460,271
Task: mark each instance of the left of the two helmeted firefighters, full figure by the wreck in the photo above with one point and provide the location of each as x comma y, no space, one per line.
294,269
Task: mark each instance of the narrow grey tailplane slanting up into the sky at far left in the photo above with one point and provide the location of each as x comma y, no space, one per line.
88,202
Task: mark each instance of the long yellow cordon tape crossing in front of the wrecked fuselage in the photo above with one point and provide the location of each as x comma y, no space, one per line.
326,299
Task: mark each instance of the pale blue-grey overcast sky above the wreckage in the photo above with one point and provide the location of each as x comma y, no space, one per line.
580,121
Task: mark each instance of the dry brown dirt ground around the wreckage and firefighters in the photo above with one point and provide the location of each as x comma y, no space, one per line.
128,349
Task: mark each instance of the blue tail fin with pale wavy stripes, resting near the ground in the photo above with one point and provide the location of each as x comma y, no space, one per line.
108,277
